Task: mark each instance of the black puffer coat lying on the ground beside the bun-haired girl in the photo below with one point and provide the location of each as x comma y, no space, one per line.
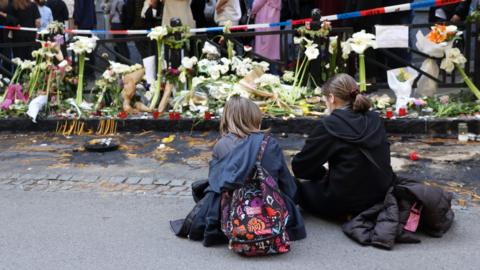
383,224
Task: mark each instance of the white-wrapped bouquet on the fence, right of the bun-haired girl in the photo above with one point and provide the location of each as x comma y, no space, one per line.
402,90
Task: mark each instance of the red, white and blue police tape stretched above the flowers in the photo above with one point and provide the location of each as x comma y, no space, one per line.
335,17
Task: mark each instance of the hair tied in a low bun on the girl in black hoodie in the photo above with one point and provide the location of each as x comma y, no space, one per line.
344,87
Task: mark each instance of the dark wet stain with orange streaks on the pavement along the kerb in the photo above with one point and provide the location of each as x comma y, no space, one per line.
441,161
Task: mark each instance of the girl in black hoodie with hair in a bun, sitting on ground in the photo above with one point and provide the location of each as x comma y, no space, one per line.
352,183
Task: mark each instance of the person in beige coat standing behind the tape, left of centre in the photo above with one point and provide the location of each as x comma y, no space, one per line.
179,9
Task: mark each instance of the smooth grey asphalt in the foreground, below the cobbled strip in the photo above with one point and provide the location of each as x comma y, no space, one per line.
73,230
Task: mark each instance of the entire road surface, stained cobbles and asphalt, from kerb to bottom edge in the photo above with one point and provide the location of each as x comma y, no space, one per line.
64,208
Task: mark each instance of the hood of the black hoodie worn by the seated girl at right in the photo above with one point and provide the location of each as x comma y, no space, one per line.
363,129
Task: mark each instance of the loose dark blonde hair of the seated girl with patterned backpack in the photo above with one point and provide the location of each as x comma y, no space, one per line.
241,117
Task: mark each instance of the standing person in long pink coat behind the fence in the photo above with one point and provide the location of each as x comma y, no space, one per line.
267,11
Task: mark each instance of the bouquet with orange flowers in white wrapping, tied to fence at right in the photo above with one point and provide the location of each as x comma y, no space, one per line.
434,44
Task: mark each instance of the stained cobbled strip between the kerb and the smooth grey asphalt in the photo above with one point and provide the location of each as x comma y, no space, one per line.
148,164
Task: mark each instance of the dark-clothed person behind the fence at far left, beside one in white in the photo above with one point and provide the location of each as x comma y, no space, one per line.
27,15
